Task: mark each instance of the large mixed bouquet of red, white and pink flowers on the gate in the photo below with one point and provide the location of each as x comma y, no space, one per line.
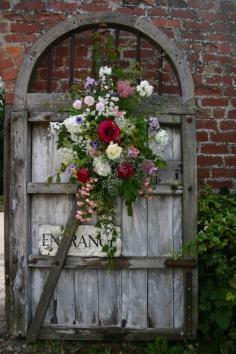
104,146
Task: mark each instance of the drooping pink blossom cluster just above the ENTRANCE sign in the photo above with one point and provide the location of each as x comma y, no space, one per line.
87,206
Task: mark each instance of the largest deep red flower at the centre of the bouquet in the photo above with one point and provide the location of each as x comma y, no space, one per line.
108,131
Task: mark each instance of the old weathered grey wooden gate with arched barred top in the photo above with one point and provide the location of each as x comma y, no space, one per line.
150,293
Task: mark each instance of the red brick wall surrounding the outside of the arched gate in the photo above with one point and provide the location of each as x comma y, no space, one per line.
204,30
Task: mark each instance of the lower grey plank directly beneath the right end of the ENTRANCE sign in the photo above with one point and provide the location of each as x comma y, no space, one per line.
109,297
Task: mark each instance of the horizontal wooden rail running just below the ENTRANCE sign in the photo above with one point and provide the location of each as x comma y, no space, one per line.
122,262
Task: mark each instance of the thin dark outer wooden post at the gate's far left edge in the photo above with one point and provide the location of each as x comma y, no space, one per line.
7,251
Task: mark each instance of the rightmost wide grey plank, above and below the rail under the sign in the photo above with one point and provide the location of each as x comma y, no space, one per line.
160,243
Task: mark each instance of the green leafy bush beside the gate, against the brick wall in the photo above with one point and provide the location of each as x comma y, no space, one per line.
216,244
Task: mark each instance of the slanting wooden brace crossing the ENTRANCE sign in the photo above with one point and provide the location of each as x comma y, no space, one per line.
52,279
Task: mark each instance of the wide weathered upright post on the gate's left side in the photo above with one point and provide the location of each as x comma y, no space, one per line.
19,226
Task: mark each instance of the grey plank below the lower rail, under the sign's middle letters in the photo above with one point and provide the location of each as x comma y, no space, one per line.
86,297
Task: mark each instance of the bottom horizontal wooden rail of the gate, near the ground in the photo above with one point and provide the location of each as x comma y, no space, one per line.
108,333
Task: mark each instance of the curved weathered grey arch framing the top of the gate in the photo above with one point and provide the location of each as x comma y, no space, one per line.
140,23
